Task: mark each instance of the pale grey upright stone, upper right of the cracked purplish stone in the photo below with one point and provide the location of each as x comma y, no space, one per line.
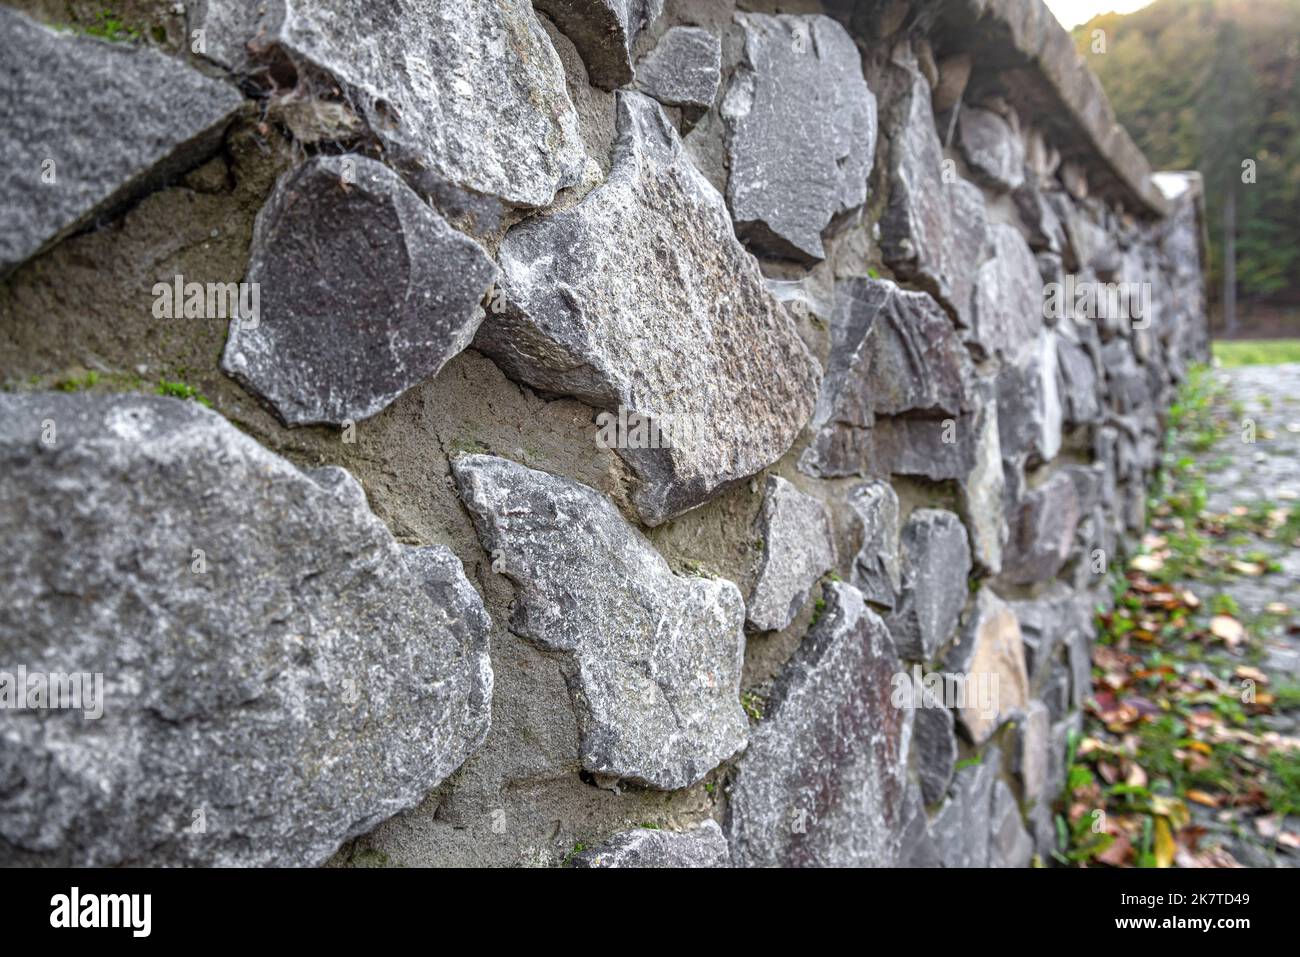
1008,314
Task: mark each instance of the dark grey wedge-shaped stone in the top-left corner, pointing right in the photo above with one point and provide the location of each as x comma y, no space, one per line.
77,144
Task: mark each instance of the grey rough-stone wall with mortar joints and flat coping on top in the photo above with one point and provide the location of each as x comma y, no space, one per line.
629,404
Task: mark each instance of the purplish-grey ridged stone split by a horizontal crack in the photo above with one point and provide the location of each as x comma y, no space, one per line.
892,352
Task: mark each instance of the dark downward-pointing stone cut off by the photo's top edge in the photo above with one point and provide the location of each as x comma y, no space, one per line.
604,33
